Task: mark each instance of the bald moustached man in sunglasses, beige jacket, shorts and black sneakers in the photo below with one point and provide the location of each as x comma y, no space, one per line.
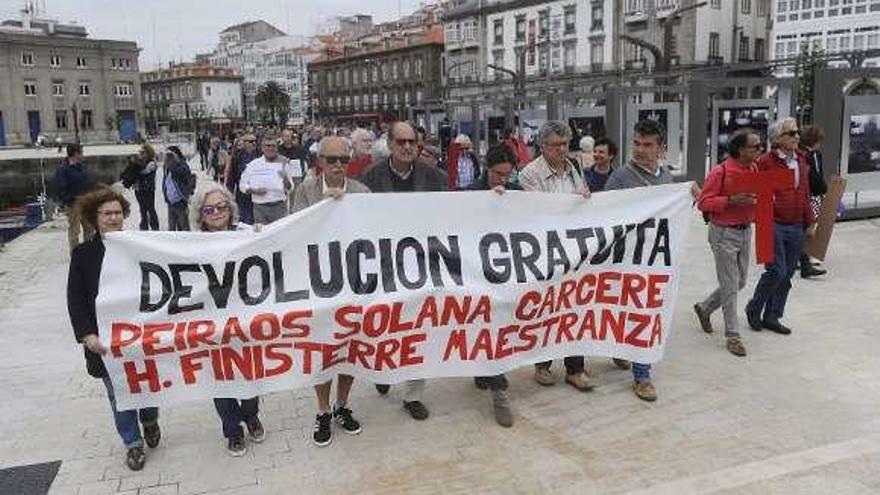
334,154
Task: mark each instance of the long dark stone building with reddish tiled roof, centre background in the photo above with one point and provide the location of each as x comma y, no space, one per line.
379,81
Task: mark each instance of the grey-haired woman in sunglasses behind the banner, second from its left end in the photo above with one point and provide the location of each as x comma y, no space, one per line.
215,210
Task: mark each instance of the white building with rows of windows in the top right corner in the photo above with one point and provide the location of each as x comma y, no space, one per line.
830,26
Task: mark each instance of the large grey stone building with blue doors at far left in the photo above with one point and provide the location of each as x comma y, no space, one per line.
56,82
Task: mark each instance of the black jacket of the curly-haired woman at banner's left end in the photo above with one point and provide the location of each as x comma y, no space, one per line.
82,290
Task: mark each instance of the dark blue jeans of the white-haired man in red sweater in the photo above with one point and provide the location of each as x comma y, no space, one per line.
771,293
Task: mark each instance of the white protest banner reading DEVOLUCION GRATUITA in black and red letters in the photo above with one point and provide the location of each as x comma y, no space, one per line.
390,287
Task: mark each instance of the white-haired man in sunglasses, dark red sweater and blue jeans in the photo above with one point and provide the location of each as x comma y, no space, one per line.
793,218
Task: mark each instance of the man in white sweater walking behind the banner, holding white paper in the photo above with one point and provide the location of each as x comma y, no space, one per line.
266,180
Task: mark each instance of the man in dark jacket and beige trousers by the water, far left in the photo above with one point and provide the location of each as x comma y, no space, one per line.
72,181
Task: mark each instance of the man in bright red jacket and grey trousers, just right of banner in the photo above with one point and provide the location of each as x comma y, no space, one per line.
730,233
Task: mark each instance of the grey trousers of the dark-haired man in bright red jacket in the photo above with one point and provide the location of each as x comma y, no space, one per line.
731,248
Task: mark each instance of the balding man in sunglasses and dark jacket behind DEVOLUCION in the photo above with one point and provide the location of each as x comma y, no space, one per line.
402,173
